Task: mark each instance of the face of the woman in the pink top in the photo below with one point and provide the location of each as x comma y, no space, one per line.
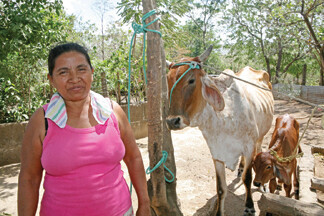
72,76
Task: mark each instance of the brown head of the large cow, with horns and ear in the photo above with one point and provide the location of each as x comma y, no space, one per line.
193,90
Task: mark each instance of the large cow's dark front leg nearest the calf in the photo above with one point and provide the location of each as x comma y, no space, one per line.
247,180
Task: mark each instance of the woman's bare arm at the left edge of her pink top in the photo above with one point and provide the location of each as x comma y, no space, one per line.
31,170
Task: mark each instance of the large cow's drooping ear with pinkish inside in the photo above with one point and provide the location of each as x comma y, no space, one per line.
211,94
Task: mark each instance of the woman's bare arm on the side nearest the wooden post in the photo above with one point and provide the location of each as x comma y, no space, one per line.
133,161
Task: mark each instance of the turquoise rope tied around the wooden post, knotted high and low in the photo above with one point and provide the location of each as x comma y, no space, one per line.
143,29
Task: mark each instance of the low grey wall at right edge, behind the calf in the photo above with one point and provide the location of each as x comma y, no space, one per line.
313,94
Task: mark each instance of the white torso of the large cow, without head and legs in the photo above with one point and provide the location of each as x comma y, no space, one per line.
246,118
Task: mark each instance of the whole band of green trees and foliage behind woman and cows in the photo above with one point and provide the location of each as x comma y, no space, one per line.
263,34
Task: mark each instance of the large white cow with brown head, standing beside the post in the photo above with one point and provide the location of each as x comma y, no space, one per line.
232,115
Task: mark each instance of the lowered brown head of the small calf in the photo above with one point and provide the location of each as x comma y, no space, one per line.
266,167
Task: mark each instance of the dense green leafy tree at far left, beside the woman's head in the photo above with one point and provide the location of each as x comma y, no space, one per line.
27,30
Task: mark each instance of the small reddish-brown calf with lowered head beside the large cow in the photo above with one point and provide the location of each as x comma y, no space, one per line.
284,142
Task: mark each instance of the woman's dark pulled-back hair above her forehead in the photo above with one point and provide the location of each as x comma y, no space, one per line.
63,48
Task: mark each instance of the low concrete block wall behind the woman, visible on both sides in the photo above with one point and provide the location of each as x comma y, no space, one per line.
11,134
